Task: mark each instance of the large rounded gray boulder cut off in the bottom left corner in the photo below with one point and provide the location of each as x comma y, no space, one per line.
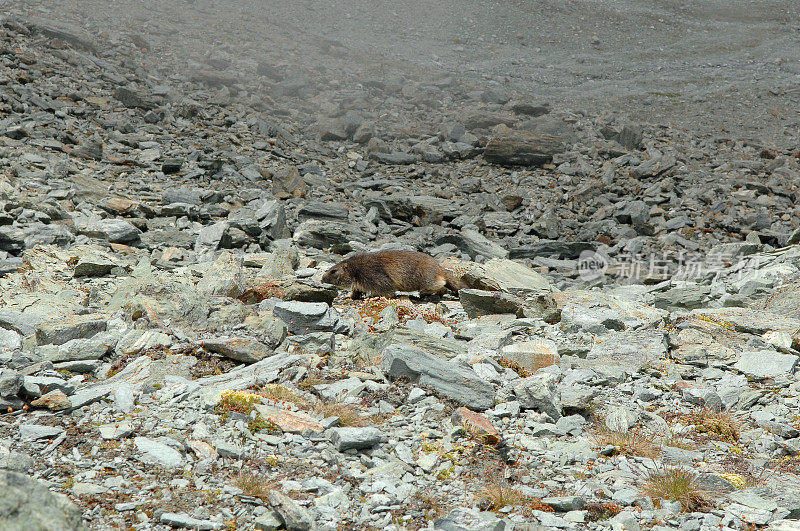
28,505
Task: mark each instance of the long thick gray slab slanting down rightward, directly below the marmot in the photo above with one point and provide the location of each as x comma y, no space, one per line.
448,378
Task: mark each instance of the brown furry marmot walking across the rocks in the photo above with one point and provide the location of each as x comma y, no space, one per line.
383,273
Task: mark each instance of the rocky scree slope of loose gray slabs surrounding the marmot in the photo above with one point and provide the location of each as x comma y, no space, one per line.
171,359
